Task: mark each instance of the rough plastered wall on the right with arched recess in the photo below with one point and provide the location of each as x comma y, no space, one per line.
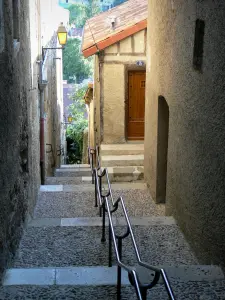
195,179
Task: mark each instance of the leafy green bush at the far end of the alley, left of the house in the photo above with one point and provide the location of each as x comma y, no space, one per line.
74,131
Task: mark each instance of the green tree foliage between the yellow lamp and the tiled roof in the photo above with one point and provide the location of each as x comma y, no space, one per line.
75,67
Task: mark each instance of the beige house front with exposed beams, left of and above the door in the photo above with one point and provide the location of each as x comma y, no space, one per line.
111,86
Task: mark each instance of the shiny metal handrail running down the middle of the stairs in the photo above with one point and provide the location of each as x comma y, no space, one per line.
103,201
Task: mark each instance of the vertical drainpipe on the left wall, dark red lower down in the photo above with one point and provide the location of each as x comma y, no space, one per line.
42,85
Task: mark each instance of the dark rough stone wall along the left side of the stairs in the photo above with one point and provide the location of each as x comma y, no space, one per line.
18,148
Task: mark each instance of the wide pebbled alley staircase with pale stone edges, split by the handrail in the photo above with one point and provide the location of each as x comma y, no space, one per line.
61,255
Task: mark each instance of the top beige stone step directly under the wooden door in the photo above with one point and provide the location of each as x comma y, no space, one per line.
122,149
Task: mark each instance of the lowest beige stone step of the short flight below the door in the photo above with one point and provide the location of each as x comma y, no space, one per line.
126,174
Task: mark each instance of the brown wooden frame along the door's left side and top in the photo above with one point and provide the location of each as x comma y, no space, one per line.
127,69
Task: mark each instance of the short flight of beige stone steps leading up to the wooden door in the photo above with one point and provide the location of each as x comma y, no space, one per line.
125,162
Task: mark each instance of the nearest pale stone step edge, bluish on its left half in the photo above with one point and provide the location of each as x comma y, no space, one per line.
102,275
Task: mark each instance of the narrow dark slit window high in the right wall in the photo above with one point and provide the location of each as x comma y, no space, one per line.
199,44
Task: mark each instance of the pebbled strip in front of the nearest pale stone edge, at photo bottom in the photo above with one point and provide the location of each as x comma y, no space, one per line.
183,291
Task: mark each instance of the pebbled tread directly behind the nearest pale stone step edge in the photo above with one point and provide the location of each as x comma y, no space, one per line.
82,246
